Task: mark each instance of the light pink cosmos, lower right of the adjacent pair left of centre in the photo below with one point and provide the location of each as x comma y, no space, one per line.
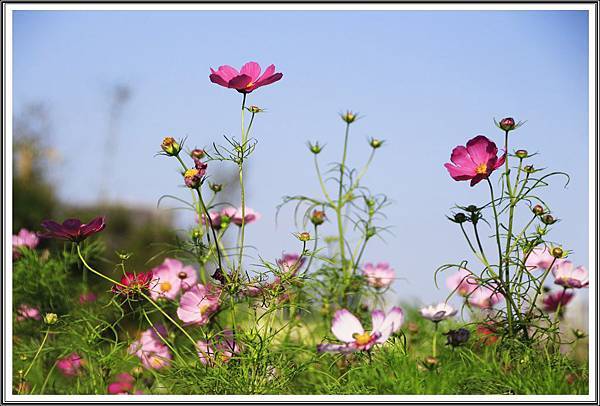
198,304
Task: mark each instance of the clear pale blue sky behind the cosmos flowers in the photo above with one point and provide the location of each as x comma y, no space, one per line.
424,81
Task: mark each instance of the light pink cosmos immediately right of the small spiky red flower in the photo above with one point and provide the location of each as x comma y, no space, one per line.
170,278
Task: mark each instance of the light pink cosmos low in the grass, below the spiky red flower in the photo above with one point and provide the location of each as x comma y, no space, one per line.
151,350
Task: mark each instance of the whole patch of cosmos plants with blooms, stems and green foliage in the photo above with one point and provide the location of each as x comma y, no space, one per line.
209,317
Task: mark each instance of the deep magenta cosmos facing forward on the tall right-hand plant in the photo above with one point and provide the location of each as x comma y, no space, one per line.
474,162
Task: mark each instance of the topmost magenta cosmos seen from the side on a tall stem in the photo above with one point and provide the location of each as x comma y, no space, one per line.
247,79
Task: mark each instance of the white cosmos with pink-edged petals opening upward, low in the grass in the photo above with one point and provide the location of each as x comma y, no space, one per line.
348,329
